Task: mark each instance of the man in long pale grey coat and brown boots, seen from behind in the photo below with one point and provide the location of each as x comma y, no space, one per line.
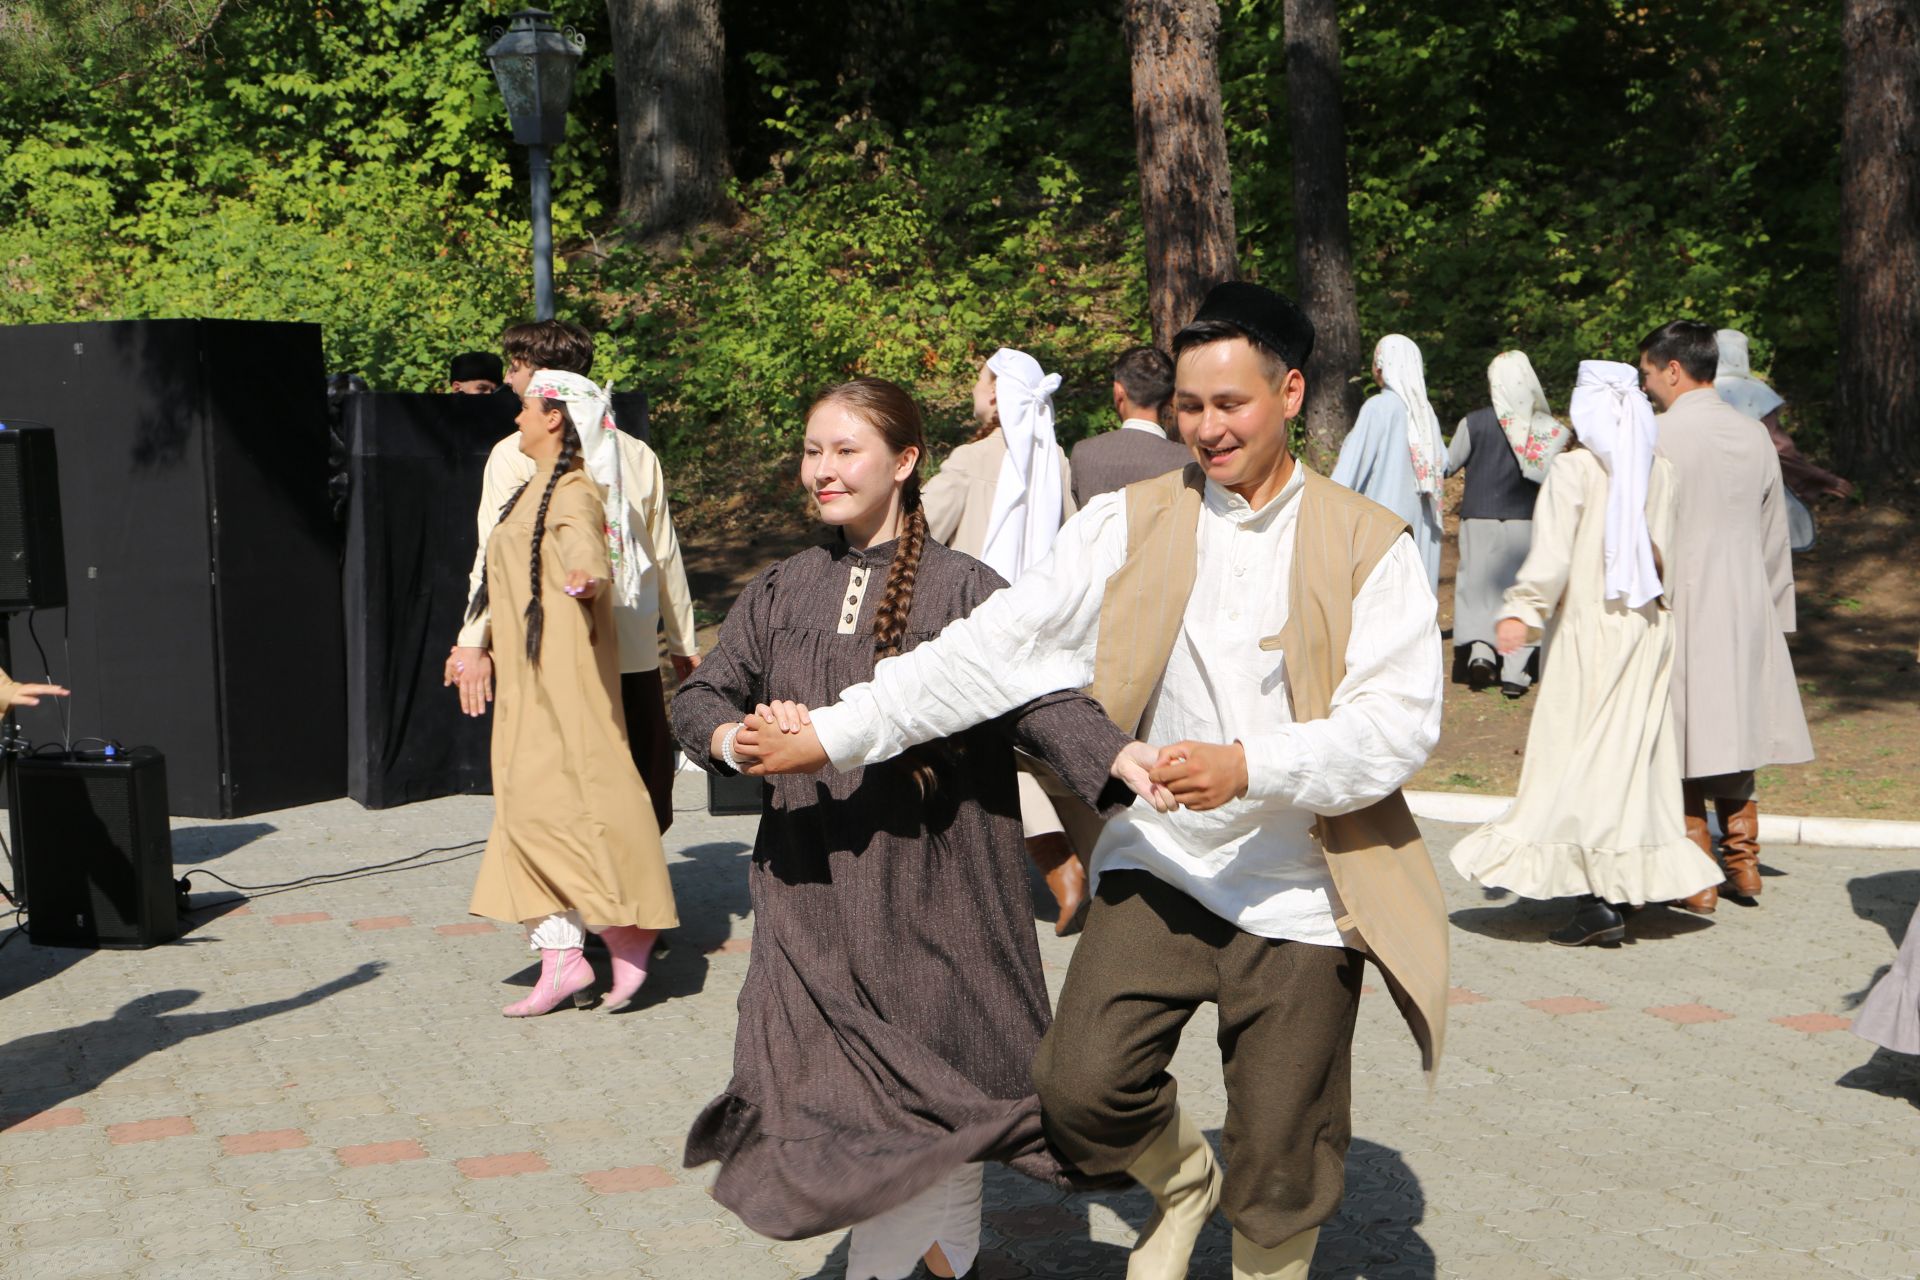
1731,588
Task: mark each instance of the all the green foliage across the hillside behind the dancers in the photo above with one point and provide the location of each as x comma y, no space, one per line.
917,191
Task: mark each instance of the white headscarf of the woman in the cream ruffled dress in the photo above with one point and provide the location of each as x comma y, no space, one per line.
1616,423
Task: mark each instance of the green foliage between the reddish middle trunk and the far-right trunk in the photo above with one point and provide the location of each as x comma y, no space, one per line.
1566,178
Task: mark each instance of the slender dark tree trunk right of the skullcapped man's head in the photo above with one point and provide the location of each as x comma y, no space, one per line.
1324,250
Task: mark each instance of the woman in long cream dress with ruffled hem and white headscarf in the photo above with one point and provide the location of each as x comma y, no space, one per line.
1598,813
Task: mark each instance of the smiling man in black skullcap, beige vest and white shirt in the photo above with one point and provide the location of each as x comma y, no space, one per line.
1280,632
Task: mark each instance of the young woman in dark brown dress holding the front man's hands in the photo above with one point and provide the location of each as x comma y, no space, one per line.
894,1001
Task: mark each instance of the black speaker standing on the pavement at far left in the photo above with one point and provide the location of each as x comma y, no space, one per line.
95,849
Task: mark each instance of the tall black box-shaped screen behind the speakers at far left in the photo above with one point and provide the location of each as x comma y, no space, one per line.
203,556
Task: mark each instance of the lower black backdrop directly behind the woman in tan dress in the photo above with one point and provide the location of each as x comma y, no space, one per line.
416,465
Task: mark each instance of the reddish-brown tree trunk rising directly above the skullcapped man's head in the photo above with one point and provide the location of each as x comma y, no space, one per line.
1186,183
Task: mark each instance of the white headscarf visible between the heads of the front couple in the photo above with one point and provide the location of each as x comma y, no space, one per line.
1026,500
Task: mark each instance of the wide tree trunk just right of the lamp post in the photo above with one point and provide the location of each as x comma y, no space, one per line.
669,59
